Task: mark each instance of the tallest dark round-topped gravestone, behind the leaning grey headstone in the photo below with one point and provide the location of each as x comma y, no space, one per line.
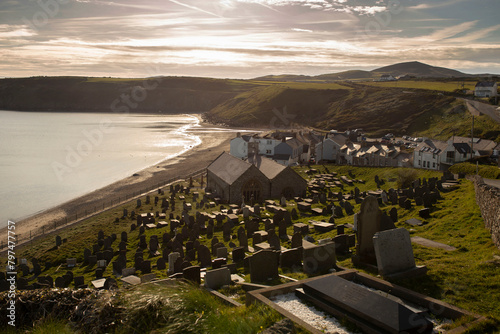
370,220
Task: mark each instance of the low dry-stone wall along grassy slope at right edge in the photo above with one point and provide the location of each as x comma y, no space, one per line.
488,199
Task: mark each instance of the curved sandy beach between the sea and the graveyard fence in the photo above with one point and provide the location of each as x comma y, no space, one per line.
195,159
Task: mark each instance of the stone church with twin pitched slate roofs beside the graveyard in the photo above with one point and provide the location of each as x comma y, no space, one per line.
256,179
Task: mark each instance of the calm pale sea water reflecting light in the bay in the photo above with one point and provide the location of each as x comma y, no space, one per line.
49,158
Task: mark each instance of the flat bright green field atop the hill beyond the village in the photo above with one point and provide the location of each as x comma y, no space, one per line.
448,86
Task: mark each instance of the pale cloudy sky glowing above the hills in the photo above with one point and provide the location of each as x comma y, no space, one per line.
243,38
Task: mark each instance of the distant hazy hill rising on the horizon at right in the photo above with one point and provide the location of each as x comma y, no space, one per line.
412,69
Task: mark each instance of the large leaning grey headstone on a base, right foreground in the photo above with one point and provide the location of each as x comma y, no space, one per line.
395,254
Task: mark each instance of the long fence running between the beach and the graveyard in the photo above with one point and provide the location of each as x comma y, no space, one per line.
106,205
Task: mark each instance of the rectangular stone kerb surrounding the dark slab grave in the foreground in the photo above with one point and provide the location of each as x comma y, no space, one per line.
445,310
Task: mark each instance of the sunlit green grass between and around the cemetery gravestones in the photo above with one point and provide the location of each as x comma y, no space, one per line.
467,278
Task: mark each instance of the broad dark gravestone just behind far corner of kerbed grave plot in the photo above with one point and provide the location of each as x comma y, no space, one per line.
319,259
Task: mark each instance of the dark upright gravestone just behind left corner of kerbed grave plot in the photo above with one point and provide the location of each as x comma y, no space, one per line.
264,266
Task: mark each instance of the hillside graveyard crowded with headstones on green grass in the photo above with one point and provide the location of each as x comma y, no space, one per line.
425,234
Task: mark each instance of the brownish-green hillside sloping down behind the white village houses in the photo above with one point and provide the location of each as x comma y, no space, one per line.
375,110
